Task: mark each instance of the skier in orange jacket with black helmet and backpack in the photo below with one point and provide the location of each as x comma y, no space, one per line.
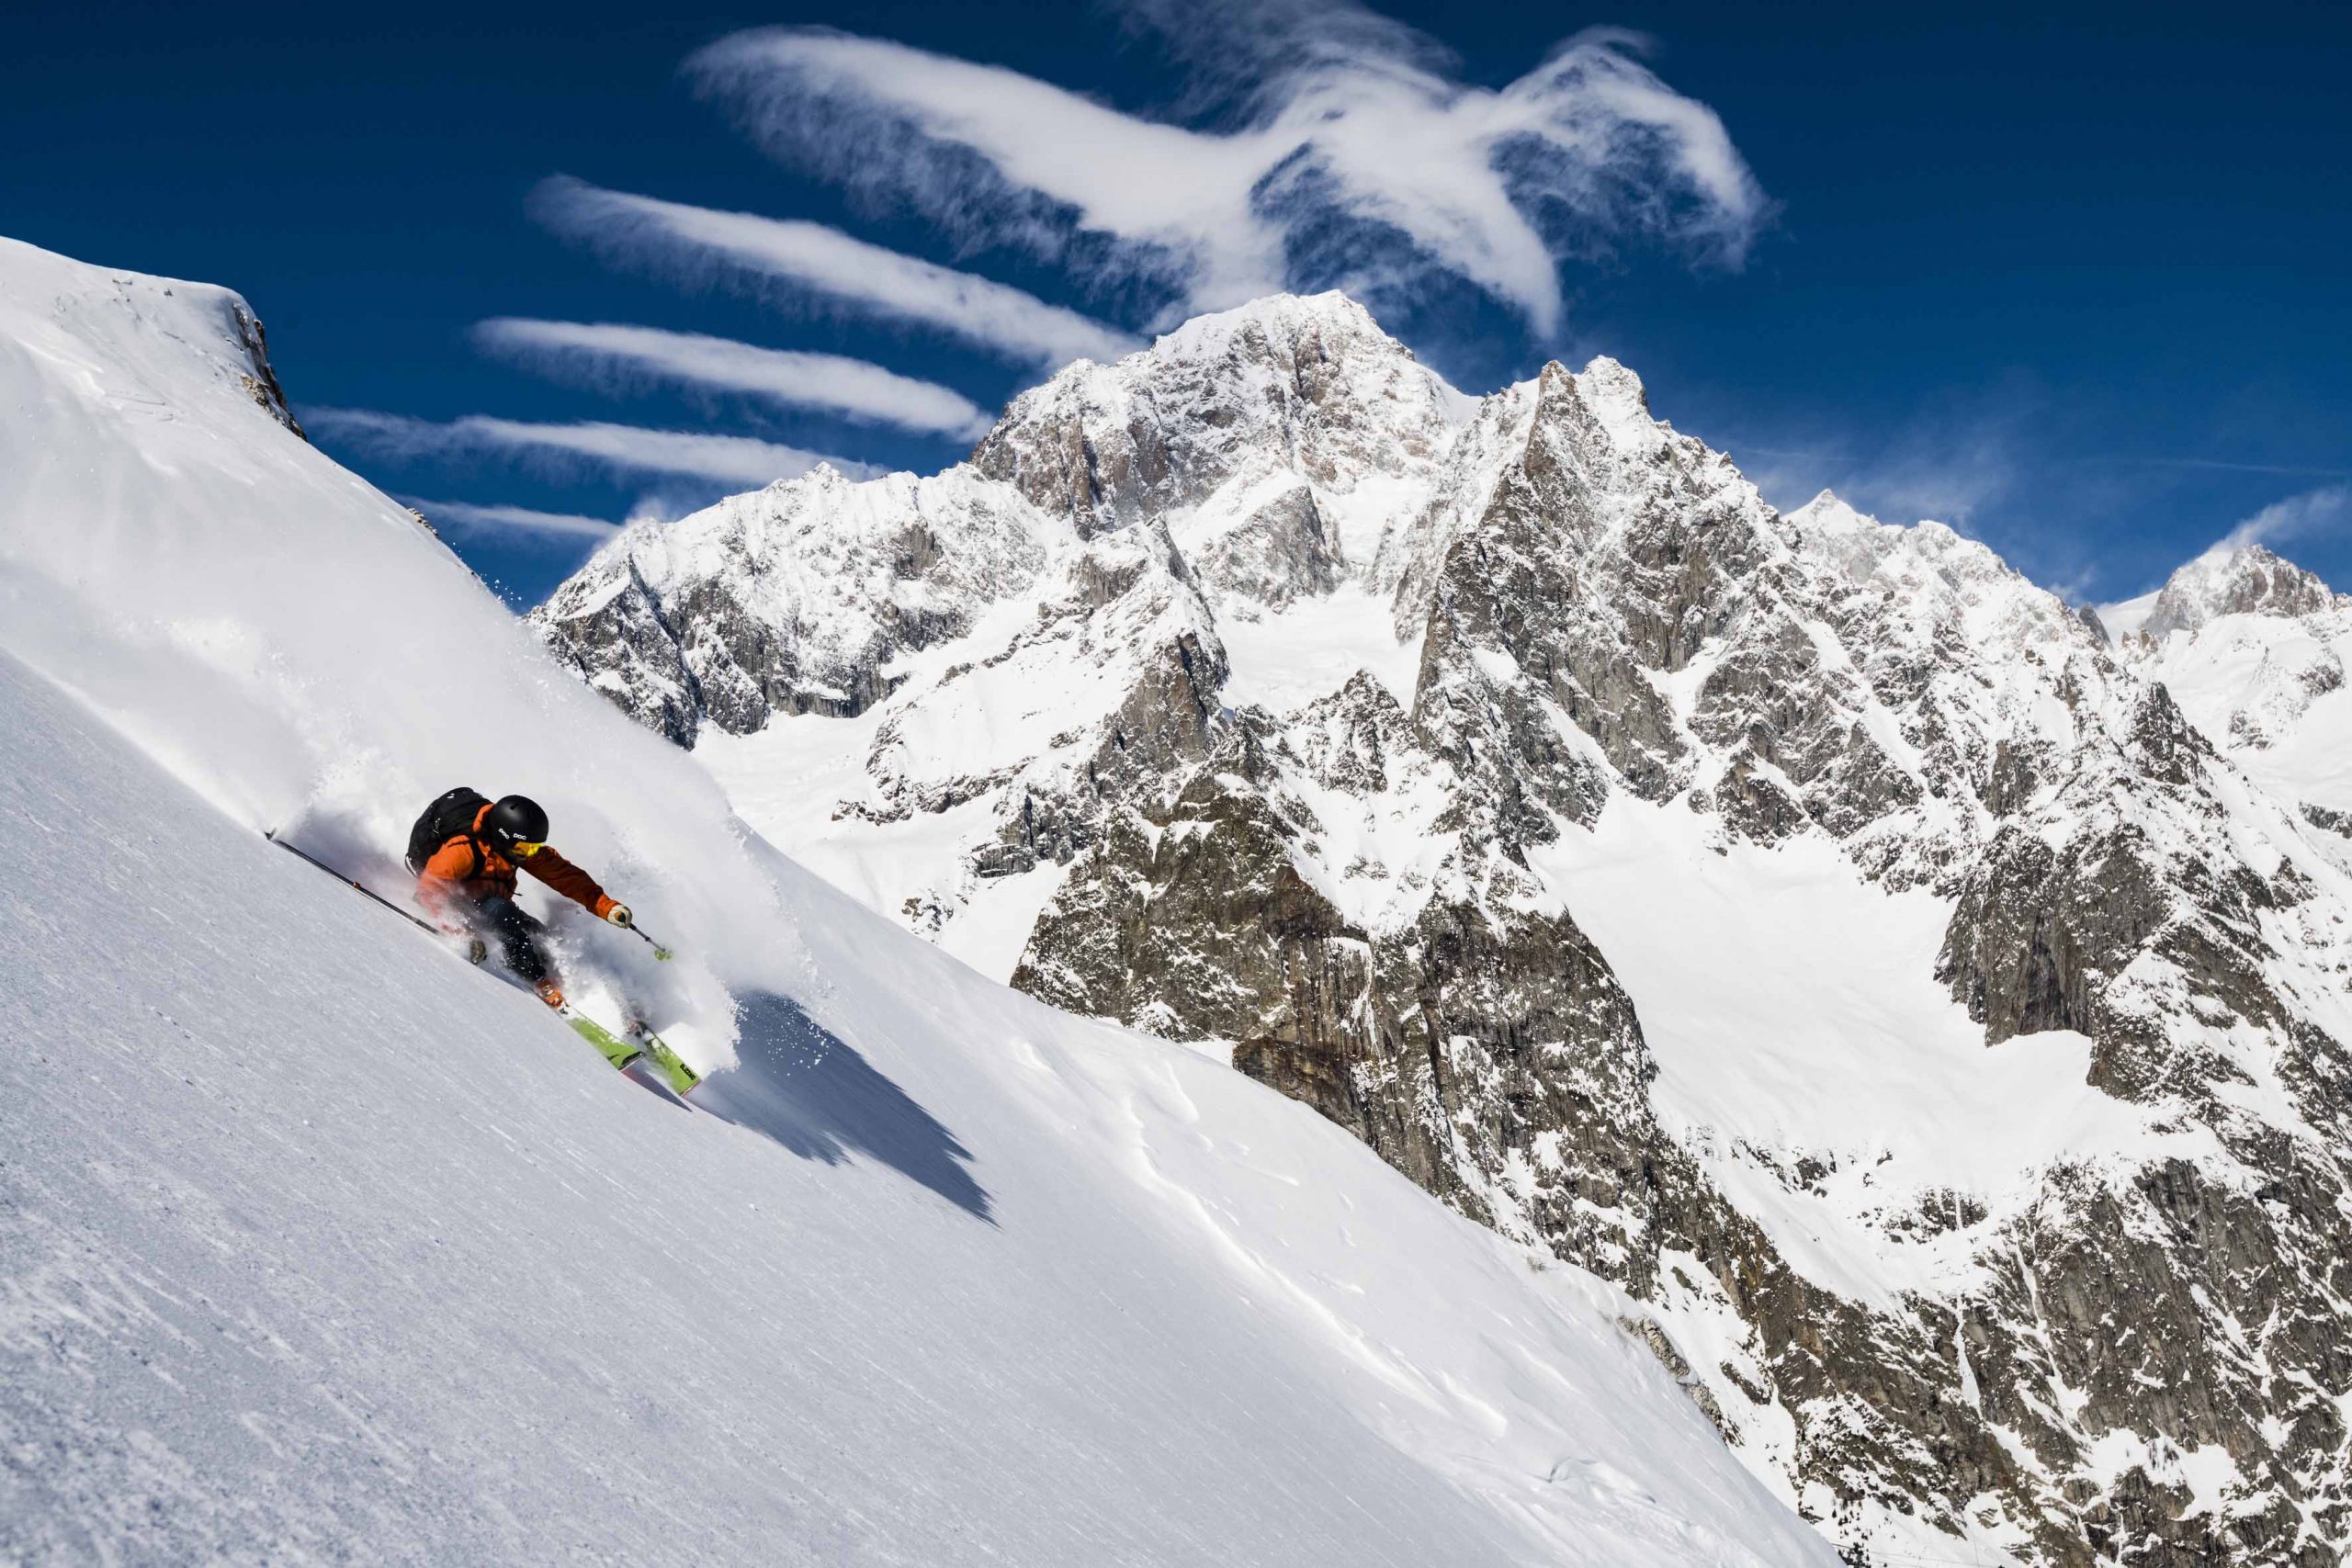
467,852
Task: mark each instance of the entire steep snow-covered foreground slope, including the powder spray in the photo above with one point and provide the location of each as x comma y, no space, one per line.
321,1245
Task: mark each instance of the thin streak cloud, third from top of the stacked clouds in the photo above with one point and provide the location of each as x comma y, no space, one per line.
617,356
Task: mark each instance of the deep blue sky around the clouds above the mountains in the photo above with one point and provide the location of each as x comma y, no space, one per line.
2069,276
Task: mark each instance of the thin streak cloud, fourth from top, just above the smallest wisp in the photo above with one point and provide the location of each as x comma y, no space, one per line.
592,445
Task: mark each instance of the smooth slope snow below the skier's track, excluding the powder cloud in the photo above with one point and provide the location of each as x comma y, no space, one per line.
321,1238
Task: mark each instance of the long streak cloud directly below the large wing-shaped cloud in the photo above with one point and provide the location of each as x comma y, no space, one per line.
813,264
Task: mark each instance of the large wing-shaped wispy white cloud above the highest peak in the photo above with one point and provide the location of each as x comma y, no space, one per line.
1342,149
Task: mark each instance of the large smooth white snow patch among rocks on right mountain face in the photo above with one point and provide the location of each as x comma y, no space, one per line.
1793,1010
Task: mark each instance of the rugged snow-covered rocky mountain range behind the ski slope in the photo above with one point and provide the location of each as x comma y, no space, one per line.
1932,1014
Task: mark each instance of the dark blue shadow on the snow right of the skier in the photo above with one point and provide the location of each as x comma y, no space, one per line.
810,1092
